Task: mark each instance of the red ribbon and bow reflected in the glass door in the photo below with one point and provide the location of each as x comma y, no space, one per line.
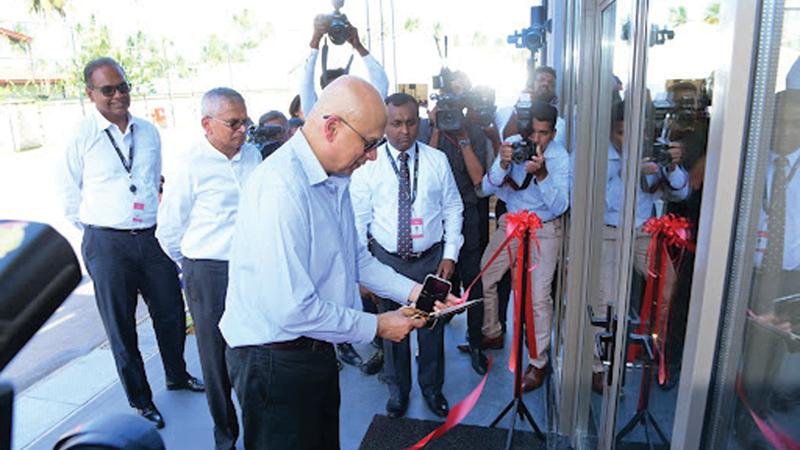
669,231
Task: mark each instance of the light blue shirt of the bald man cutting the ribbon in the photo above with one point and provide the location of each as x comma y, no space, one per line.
296,262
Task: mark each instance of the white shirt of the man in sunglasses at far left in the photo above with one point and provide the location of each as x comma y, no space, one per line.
94,186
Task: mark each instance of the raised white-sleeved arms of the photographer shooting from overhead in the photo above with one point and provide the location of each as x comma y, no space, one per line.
308,95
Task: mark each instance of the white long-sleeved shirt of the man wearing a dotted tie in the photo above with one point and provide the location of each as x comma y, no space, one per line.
437,206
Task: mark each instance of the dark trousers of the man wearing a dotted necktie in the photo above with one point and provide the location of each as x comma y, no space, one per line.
430,367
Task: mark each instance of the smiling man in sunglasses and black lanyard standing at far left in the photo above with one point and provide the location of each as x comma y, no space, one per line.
109,178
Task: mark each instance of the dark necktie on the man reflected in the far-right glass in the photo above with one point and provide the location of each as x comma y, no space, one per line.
776,221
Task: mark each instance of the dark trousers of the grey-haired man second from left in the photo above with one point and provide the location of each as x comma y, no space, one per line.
206,284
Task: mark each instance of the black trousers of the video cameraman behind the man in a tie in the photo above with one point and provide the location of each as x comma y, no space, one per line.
468,267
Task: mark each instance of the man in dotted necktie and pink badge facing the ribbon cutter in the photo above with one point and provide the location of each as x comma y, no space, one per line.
408,202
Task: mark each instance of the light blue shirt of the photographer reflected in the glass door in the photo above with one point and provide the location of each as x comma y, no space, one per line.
675,187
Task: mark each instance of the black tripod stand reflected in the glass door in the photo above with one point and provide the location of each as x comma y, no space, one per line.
643,415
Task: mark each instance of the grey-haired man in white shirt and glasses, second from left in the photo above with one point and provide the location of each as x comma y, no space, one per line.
195,227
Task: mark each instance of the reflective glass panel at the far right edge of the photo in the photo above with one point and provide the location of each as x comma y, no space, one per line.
766,393
